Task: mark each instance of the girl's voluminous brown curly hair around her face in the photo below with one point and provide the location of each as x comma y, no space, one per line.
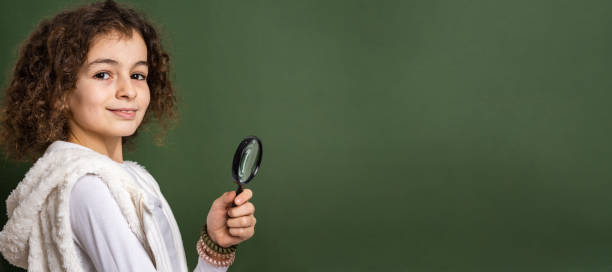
35,111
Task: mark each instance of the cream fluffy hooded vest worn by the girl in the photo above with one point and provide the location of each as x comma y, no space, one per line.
38,235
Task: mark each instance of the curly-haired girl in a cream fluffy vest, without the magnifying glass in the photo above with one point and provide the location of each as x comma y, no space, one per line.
82,86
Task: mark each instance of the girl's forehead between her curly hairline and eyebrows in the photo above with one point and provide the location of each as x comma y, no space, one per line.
118,46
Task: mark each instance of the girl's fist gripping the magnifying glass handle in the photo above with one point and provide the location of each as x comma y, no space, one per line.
229,225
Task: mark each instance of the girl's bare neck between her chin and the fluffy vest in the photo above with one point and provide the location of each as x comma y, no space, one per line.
109,146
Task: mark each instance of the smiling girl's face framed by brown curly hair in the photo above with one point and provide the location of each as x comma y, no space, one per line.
111,94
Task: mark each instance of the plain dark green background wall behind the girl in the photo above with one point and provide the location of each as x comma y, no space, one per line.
398,135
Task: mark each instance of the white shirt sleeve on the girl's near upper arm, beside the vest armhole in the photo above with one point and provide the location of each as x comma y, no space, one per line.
101,231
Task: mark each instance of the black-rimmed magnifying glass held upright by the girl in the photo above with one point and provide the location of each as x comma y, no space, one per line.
246,162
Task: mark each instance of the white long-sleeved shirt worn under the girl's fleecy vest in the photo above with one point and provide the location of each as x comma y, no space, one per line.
102,236
